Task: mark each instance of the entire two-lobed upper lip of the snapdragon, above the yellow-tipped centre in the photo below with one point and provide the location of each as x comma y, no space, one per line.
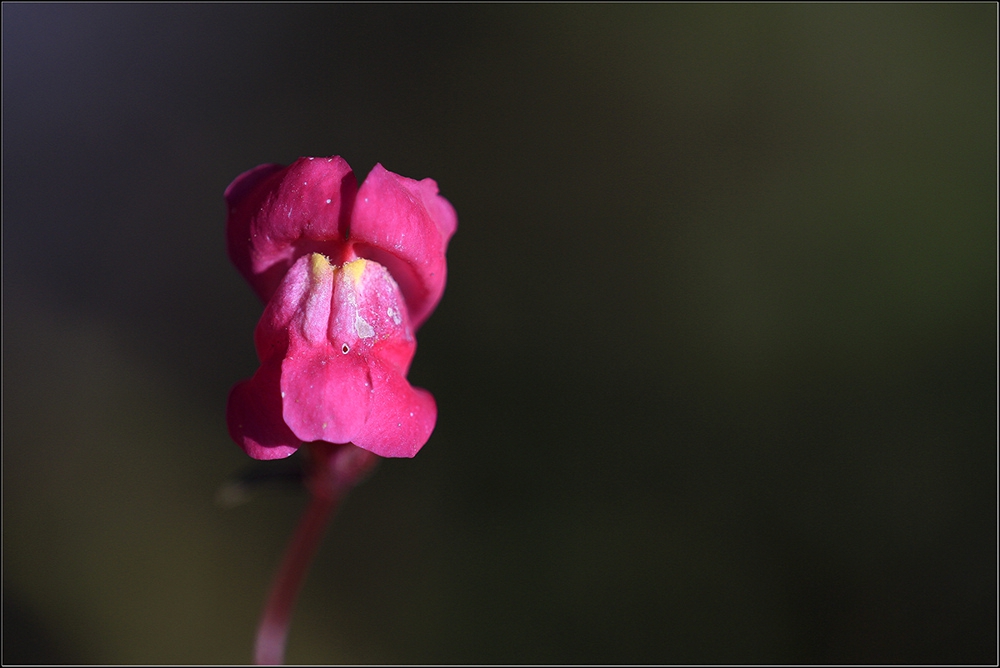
278,214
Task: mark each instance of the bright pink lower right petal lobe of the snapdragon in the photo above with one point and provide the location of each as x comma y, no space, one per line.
401,418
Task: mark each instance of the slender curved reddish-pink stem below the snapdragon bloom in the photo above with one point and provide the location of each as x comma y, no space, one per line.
272,633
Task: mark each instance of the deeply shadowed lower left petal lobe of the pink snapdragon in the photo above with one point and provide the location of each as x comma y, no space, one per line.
254,418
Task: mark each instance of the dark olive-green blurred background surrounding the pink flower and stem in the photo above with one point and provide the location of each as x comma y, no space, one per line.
716,364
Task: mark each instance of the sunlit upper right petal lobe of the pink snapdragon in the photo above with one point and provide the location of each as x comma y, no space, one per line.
405,225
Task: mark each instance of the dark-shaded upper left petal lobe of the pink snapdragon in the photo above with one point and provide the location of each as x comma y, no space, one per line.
278,215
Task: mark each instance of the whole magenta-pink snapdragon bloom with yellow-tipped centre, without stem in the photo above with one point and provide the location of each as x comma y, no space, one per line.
348,275
